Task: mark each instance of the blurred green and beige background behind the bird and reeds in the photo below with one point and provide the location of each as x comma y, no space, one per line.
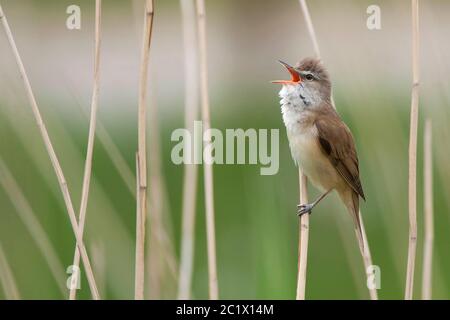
256,223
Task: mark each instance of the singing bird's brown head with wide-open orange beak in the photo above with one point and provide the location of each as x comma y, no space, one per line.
309,81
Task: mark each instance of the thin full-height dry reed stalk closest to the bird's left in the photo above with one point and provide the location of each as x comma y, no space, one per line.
207,165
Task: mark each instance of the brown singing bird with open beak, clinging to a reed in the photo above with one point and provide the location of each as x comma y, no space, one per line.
321,143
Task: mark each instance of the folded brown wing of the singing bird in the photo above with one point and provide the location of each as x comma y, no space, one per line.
336,141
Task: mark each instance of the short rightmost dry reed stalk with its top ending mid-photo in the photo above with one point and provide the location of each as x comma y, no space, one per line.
428,204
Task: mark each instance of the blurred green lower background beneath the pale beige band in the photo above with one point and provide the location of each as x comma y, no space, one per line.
255,215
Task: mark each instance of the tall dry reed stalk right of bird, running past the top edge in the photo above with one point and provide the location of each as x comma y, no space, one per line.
412,183
